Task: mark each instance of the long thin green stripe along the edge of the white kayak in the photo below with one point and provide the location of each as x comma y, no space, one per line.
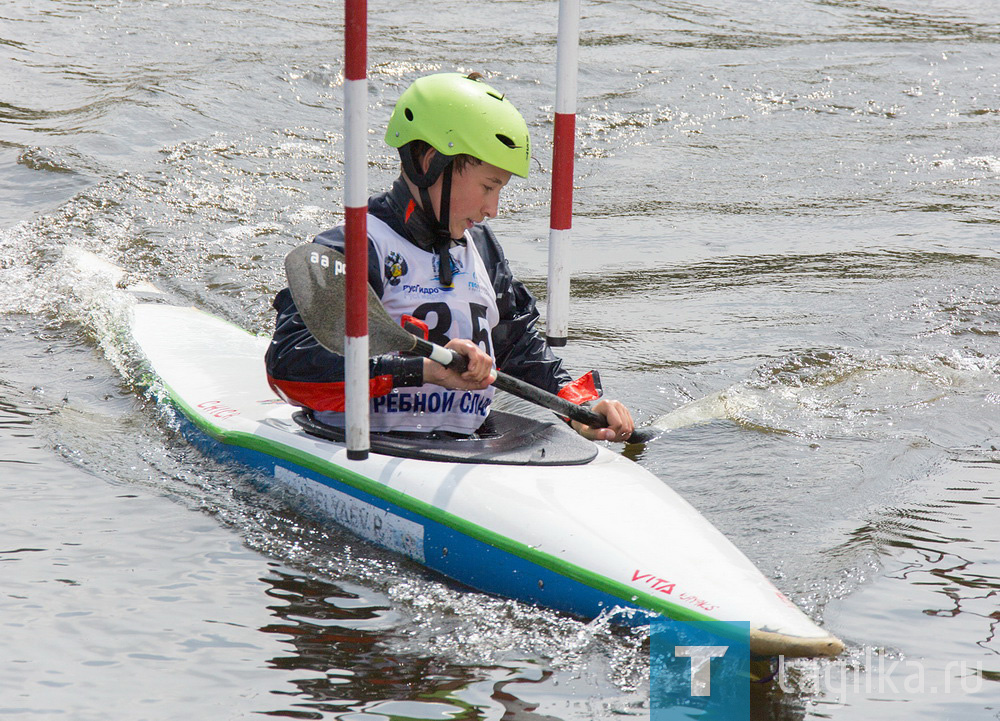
362,483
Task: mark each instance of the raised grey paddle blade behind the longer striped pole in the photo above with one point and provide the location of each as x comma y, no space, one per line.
317,279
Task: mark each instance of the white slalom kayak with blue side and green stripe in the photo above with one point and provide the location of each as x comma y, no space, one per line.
526,510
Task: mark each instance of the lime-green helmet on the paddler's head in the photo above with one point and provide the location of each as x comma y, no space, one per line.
459,114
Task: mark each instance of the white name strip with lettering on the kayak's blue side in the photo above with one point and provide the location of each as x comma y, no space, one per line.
363,519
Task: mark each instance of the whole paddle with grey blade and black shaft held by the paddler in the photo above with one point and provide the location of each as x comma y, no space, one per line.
316,278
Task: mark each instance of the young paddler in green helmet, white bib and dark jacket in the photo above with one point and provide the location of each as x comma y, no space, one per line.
436,264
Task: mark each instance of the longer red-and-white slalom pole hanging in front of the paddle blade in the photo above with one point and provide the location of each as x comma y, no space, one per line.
356,227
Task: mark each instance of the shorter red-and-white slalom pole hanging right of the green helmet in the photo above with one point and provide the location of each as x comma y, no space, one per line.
564,142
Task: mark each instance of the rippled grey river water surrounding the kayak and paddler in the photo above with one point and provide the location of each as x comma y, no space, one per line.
785,212
